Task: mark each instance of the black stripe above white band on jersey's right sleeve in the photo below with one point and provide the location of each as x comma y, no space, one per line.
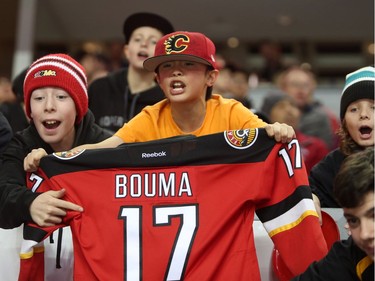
270,212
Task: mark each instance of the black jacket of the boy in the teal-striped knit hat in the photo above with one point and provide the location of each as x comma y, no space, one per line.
322,176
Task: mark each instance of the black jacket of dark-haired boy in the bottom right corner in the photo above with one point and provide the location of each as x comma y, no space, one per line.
340,264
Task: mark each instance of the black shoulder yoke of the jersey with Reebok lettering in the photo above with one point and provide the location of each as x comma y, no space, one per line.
177,151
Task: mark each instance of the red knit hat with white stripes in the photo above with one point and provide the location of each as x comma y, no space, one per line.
61,71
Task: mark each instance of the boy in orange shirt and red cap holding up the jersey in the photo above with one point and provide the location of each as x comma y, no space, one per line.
185,67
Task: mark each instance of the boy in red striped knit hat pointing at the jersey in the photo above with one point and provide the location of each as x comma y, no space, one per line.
55,95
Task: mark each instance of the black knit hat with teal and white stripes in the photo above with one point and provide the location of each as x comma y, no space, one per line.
358,85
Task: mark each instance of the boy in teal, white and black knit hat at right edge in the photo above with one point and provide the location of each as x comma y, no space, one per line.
356,133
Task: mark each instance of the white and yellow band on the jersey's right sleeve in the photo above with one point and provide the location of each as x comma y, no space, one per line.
291,218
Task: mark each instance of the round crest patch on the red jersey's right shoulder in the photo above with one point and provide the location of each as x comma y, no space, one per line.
241,139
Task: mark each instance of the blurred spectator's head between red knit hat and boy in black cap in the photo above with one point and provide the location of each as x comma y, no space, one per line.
95,63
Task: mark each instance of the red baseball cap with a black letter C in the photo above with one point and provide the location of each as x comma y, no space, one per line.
182,45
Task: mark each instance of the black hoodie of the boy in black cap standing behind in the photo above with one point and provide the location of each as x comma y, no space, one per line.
112,102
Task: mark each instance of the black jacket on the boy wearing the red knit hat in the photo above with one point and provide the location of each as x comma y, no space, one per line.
15,199
